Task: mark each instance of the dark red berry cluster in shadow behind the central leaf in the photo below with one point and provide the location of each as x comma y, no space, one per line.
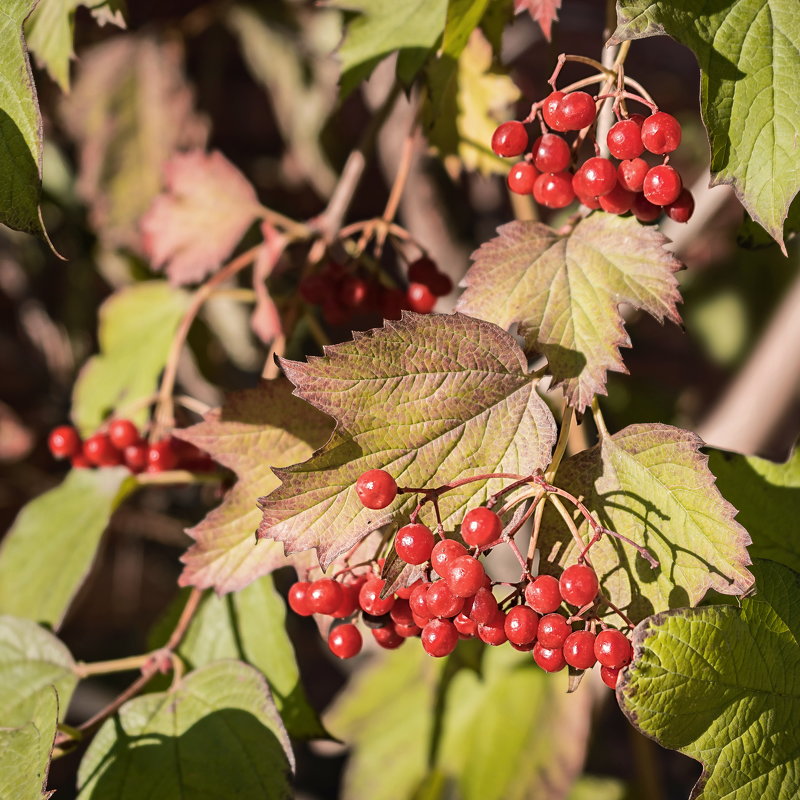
344,294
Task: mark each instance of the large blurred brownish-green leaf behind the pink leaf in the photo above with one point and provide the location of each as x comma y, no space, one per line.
130,110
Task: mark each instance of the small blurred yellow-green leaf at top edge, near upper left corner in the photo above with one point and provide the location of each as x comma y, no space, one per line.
50,29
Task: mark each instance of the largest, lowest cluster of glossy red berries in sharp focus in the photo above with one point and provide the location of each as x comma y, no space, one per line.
455,599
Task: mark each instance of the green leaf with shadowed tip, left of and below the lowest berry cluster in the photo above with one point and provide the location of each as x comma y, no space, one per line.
249,625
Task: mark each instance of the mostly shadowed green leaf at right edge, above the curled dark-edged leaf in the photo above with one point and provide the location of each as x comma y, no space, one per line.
768,498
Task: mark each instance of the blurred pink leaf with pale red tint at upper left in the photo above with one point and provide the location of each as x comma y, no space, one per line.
204,212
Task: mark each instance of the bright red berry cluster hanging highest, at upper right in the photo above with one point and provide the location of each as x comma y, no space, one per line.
629,184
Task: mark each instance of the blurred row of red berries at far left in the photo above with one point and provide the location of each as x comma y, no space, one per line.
119,443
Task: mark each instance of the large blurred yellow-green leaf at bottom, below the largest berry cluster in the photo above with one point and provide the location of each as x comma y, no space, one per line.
533,748
